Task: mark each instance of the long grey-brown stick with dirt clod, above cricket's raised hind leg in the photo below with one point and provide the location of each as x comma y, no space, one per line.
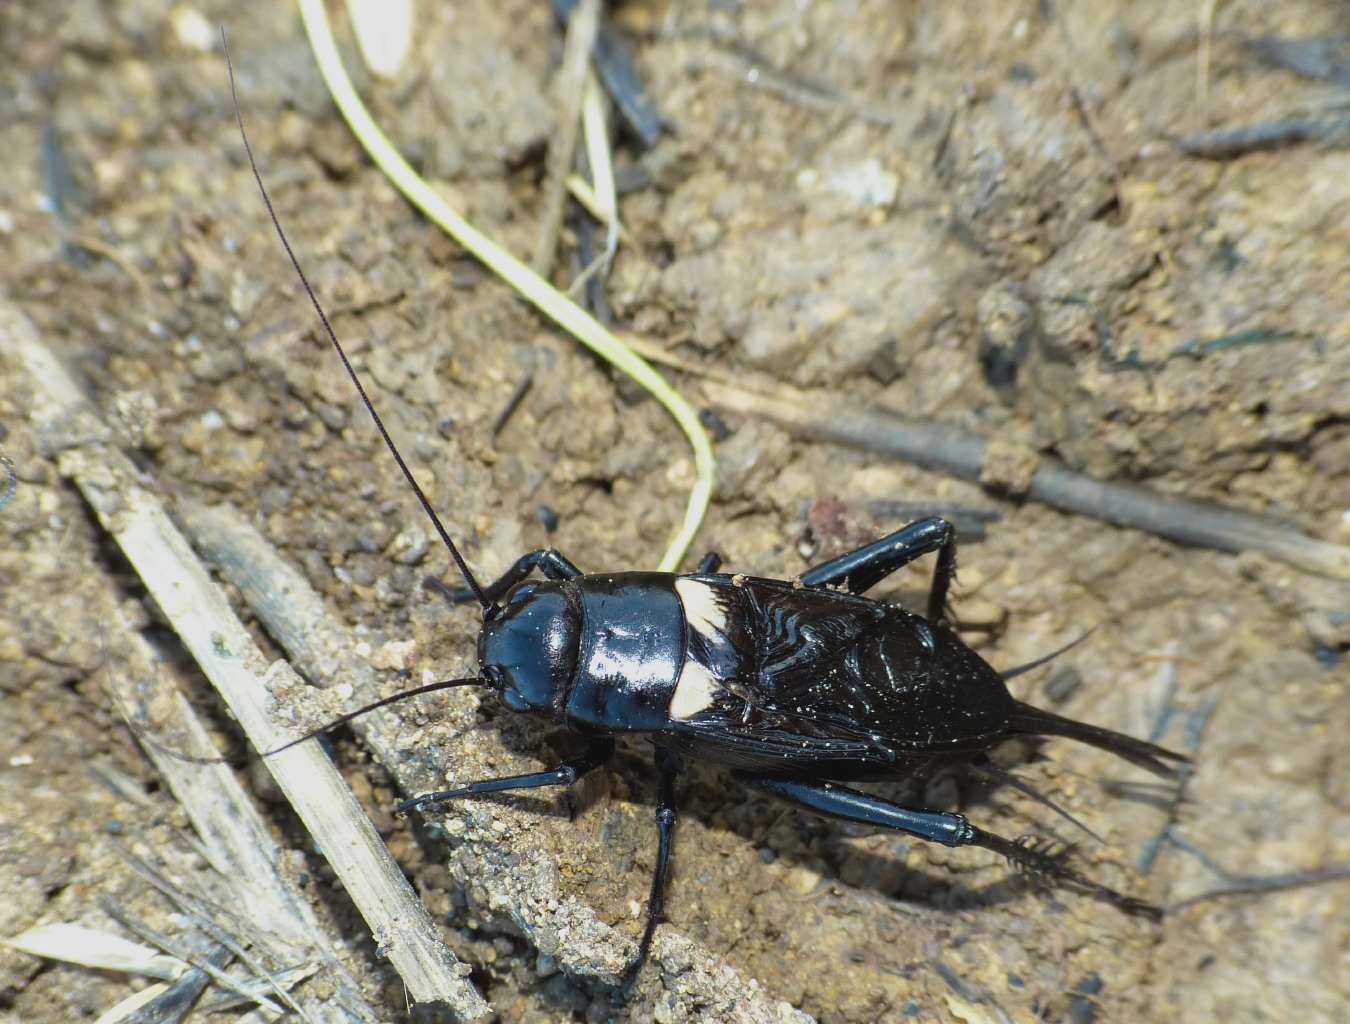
951,450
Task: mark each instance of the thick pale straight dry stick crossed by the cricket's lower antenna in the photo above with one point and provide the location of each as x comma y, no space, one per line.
230,659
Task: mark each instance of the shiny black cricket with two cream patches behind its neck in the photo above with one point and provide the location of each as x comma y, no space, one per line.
797,686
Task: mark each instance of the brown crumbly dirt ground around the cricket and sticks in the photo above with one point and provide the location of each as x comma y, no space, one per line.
967,212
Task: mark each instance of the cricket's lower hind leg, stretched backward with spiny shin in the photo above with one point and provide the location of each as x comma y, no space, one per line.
1035,859
